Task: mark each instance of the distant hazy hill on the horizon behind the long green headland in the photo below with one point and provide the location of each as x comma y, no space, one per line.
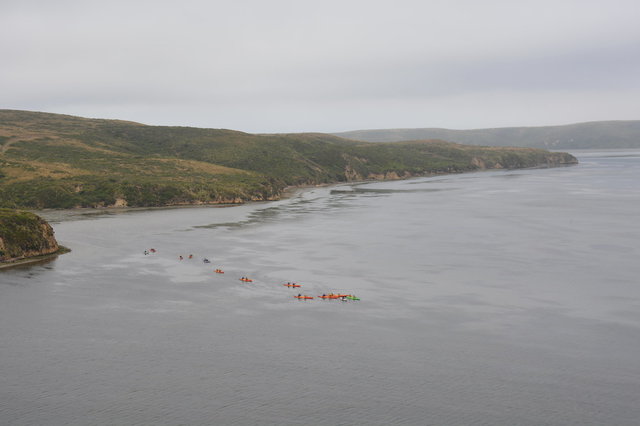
593,135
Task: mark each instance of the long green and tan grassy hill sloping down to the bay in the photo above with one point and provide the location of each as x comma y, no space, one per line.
60,161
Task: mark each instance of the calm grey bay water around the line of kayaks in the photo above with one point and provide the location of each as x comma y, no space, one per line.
495,298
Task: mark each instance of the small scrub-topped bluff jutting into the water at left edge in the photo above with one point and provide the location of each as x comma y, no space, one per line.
24,235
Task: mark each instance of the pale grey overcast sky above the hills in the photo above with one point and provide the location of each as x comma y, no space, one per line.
324,65
